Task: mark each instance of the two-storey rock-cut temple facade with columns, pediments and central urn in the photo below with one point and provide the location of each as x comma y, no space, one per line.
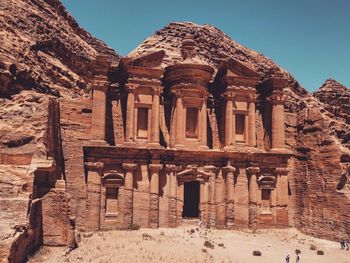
184,142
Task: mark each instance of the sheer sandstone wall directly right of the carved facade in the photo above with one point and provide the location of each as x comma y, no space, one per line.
320,173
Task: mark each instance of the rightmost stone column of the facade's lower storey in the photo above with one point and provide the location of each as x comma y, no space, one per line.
282,219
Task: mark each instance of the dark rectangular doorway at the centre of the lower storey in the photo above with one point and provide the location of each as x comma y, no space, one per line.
191,200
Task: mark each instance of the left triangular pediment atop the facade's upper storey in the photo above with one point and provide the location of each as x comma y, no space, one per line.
152,59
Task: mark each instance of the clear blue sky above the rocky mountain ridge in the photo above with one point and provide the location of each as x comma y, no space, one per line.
309,38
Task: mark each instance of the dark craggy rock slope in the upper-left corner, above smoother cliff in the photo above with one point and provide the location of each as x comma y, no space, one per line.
43,48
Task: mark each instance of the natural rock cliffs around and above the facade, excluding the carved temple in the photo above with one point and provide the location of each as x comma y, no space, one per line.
45,120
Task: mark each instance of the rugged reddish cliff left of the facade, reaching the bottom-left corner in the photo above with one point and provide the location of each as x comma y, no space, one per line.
44,55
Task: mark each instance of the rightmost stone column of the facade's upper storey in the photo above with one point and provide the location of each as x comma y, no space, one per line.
277,126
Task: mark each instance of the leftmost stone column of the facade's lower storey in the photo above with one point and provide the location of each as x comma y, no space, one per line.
93,206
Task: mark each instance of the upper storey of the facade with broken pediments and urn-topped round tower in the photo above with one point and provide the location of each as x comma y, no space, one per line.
188,105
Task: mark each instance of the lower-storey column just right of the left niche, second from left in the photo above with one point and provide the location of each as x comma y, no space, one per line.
128,193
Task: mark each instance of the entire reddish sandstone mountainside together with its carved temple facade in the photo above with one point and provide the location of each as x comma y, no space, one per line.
189,127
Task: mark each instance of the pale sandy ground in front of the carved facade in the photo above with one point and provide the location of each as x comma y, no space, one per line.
180,245
